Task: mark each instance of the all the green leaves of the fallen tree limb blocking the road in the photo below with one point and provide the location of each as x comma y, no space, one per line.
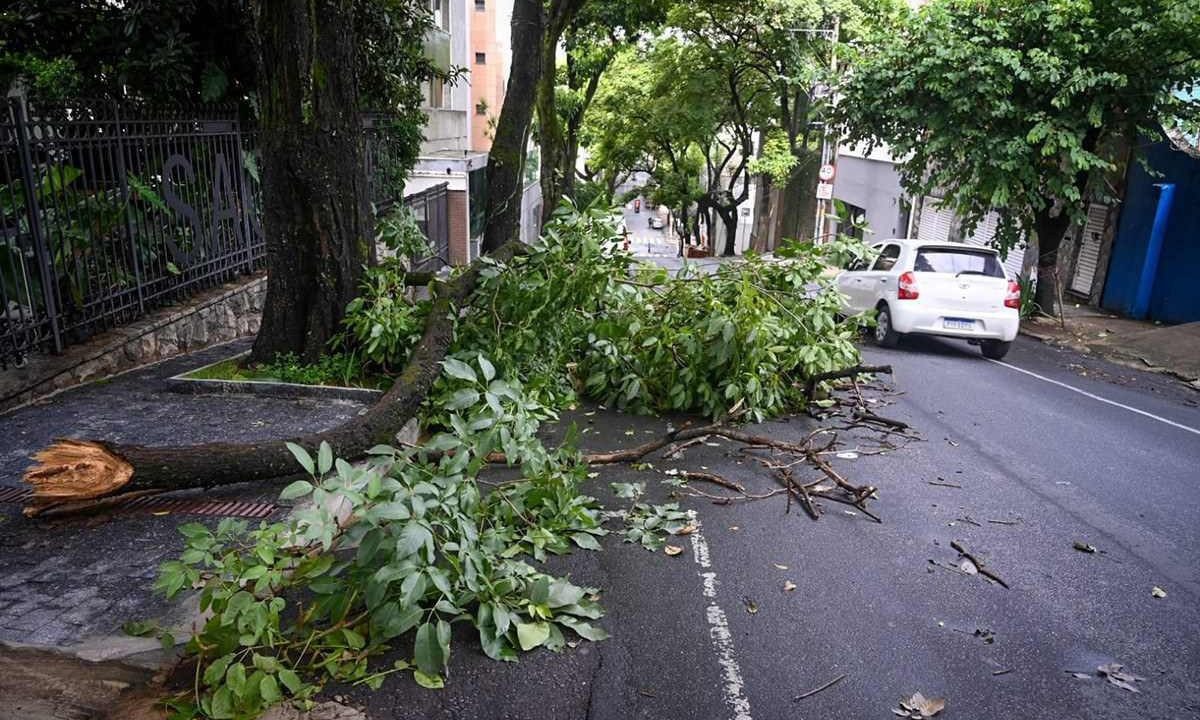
393,553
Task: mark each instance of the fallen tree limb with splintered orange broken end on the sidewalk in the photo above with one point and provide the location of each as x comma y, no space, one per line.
88,470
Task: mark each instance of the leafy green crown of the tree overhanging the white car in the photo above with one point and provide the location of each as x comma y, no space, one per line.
1007,106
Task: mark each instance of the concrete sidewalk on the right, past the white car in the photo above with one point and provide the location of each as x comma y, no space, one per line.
1172,350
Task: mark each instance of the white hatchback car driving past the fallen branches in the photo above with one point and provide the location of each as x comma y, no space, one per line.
937,289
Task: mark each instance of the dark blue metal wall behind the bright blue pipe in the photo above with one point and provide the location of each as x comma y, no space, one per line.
1175,297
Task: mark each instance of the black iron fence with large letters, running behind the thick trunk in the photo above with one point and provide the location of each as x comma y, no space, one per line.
109,212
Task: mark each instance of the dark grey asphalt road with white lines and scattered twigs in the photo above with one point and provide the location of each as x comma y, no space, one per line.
1055,466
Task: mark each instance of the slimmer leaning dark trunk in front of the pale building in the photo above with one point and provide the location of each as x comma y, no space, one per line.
506,164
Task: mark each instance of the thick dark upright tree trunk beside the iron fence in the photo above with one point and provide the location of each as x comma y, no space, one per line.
315,201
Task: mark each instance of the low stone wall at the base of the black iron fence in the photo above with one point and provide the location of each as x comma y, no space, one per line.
208,319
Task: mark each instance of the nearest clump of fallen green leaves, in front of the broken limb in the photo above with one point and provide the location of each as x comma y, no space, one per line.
416,548
